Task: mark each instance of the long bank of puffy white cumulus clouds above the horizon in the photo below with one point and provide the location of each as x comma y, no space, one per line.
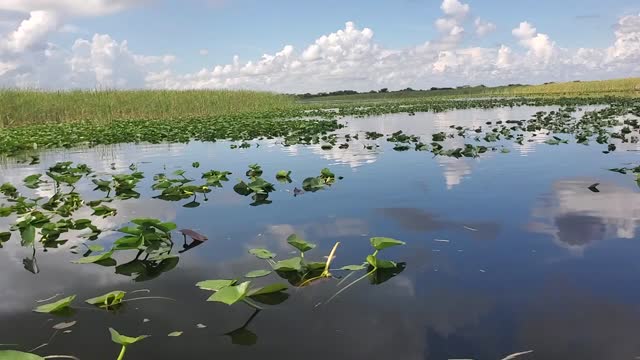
349,58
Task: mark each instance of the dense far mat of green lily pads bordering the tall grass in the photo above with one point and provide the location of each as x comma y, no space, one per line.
305,125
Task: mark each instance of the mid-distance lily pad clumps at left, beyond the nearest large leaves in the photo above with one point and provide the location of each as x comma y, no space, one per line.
44,220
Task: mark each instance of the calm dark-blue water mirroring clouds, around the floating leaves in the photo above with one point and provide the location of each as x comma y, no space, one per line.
505,253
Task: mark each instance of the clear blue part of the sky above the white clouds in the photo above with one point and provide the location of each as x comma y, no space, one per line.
250,28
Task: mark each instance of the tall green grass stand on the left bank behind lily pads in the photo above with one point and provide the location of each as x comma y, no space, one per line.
23,107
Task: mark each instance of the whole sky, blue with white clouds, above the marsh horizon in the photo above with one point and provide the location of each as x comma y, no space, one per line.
311,46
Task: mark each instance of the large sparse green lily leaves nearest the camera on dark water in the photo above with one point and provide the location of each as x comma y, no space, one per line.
298,271
